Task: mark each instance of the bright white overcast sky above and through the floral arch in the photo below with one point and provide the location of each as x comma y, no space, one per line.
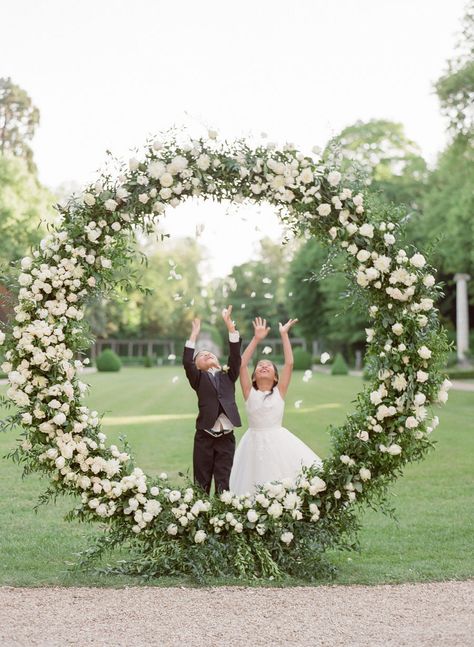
106,74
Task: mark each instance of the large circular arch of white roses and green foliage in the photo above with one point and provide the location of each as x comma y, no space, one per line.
286,526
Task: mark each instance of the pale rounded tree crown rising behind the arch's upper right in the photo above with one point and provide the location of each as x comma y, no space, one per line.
392,162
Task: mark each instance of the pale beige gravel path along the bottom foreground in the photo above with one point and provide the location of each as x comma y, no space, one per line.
418,615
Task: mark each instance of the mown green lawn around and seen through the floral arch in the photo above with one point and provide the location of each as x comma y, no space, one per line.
434,499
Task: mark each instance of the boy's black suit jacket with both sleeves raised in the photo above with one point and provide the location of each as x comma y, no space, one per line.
213,397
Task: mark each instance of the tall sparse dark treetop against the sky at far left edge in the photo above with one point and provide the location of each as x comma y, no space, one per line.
18,121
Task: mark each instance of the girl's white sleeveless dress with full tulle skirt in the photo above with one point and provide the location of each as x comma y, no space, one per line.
267,451
